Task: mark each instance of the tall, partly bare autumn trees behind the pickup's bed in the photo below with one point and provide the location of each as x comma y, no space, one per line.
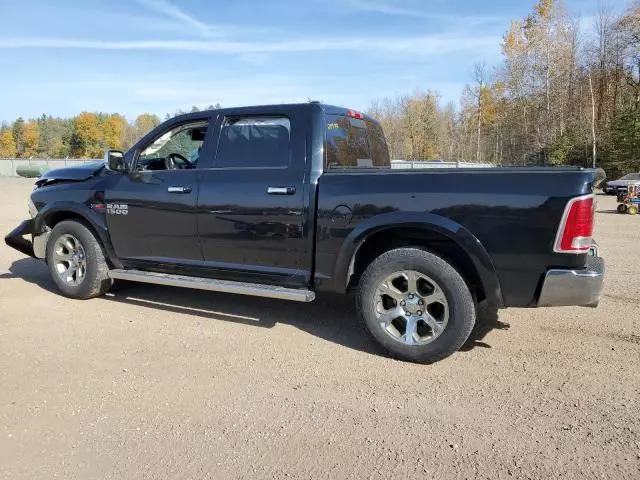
561,96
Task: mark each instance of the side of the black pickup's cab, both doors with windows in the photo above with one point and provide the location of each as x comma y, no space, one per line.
222,192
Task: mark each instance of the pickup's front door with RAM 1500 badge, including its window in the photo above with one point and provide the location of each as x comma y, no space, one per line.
151,212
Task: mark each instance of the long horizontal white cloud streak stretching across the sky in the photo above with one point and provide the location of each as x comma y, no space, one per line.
426,44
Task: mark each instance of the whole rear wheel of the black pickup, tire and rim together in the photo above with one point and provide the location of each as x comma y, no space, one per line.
416,305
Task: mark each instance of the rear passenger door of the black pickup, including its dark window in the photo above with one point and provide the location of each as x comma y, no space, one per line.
251,209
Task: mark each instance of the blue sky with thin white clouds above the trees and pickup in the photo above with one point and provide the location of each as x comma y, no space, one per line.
61,57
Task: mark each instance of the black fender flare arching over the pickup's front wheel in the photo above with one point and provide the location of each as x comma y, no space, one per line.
95,219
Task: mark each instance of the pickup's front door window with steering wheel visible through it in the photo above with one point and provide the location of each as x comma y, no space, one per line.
176,149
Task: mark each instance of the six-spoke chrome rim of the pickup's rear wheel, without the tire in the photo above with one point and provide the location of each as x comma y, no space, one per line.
411,308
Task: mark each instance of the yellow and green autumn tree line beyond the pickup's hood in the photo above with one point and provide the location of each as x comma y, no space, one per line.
87,135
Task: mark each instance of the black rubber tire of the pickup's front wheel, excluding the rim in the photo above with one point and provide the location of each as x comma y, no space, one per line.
95,281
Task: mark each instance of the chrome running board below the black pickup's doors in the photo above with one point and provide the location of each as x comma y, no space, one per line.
226,286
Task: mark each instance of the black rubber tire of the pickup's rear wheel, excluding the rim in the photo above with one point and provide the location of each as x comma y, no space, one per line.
461,305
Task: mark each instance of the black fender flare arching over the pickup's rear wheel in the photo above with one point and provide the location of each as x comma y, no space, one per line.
428,222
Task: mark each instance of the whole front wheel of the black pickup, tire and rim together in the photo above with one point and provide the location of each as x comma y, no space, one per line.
76,261
